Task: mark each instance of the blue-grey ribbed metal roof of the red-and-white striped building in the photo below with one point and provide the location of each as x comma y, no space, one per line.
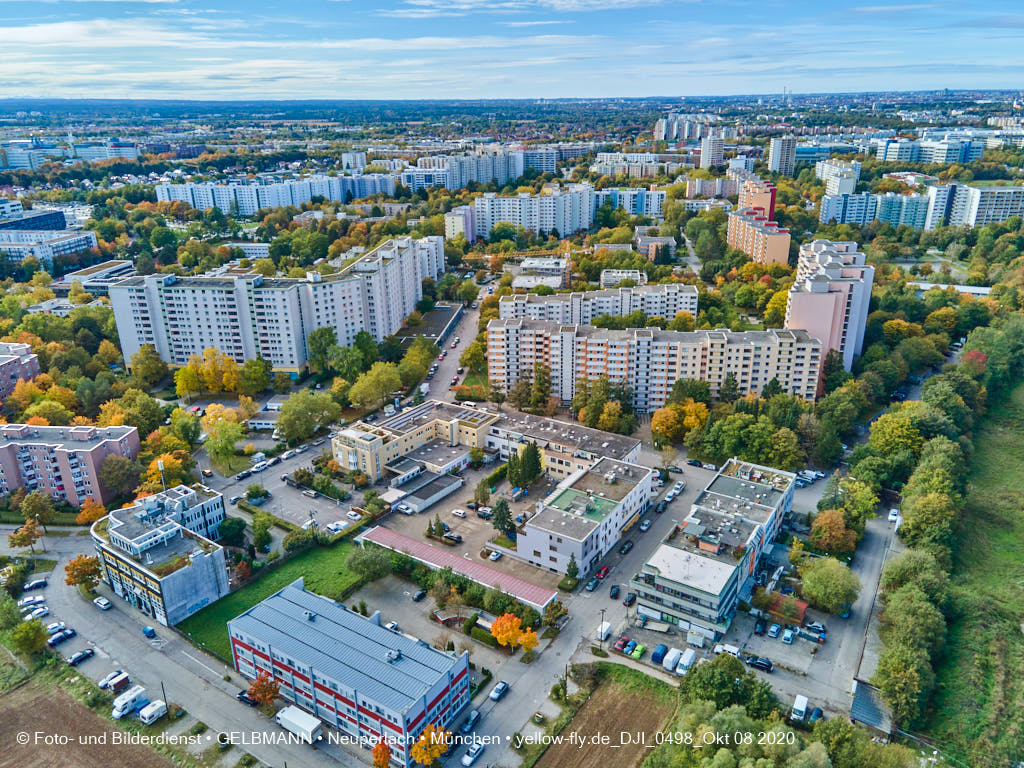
394,669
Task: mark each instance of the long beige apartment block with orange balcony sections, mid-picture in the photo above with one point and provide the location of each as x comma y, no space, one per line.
649,361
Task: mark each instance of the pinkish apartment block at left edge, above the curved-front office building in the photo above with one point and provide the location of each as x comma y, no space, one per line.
62,462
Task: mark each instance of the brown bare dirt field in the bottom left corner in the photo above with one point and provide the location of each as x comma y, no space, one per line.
36,708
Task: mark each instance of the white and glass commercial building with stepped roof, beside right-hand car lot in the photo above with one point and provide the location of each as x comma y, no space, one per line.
706,566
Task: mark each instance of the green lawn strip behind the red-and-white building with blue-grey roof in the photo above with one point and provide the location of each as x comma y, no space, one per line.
324,571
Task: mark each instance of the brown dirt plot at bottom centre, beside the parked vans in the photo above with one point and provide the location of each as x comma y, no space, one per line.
610,711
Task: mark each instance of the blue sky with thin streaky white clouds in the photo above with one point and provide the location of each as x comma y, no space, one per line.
501,49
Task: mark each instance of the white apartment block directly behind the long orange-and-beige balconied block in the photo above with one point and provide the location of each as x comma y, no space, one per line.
582,309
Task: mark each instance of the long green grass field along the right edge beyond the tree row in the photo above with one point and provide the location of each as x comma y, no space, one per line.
979,699
